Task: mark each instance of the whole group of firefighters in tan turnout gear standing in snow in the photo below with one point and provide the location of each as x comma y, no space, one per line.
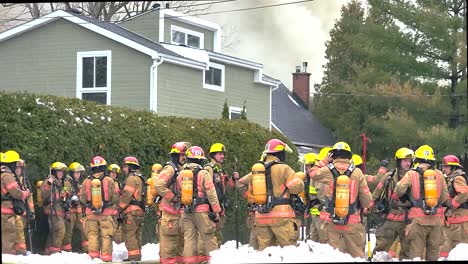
425,210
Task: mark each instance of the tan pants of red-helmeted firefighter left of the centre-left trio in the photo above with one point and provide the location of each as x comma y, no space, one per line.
131,230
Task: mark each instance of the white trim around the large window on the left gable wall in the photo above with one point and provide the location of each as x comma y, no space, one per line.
79,73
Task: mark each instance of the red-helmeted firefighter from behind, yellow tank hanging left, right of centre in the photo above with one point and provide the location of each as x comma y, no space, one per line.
275,222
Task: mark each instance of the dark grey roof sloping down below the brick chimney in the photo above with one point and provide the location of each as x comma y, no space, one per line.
297,123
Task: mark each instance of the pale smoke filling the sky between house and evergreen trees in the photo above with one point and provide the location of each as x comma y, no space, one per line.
281,37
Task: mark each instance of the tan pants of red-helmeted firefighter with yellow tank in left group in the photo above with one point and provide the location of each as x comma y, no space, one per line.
100,238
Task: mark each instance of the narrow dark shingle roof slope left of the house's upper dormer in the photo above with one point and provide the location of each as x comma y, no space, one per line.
127,34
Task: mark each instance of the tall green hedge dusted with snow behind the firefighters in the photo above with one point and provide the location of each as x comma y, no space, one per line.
45,129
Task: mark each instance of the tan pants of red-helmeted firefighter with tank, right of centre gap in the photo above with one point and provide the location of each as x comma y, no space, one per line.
285,234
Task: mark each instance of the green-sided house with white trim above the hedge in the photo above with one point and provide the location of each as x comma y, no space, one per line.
160,61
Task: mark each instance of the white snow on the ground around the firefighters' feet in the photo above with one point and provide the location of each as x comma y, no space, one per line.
305,252
